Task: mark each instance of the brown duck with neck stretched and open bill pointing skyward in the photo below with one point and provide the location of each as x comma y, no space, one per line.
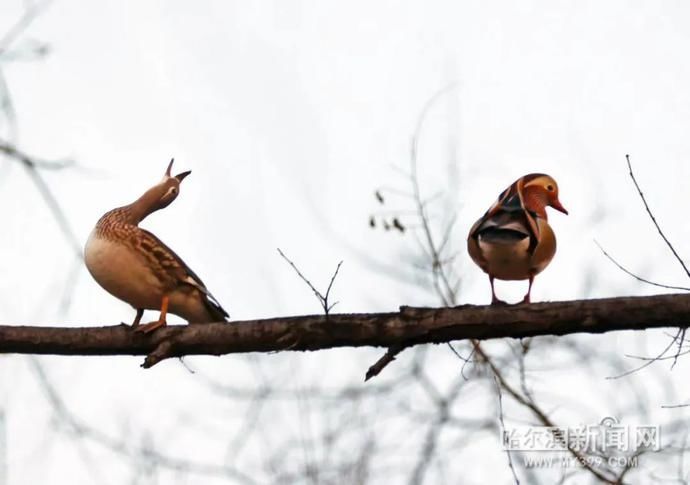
135,266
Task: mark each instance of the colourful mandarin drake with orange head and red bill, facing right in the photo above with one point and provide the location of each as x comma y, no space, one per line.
513,240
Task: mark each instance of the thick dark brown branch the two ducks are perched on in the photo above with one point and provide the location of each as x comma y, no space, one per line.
409,326
